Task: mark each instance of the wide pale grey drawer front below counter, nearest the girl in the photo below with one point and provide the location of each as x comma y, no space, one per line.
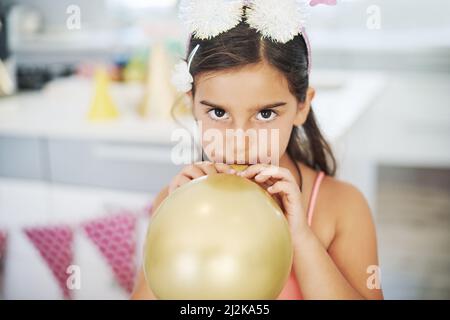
133,166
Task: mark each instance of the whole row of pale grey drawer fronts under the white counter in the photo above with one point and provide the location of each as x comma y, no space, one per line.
119,165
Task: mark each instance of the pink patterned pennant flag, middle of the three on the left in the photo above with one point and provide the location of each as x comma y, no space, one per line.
55,246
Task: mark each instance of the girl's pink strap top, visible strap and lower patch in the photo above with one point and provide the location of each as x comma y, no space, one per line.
291,290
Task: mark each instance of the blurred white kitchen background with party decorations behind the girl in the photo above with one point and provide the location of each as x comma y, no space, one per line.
85,135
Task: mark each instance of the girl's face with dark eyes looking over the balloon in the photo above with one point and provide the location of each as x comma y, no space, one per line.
254,99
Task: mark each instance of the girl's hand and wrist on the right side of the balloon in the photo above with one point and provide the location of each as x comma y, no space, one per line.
280,183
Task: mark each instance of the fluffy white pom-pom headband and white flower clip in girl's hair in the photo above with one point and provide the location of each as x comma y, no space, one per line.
279,21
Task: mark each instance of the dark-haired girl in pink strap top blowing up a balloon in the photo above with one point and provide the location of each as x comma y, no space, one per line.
244,81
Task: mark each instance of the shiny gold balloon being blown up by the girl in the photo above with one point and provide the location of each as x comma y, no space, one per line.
220,236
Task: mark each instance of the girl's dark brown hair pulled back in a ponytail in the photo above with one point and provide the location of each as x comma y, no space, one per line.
243,45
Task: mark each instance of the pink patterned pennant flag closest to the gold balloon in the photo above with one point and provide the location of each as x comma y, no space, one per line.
114,236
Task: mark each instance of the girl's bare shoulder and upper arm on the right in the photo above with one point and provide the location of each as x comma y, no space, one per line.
352,245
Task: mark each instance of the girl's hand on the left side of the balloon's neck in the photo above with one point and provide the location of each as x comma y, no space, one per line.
197,170
